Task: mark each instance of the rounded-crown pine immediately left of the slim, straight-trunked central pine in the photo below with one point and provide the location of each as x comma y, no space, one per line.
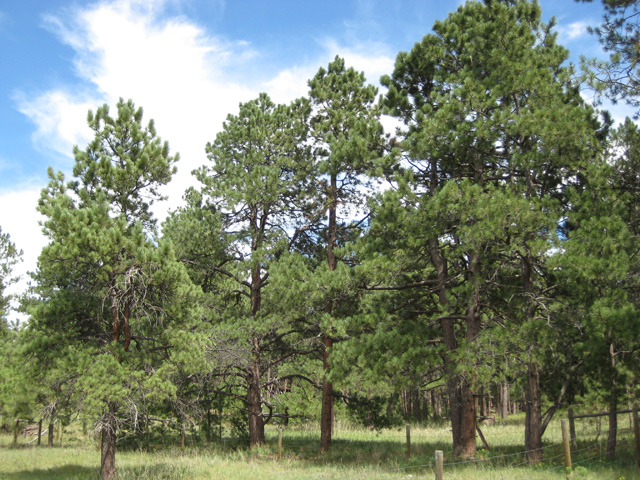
259,183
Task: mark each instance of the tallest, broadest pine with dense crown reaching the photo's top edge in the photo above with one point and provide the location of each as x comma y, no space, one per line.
488,109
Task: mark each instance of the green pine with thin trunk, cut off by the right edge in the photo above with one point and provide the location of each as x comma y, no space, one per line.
600,269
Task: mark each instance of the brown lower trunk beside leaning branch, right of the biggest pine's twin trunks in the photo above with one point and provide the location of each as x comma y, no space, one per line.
533,415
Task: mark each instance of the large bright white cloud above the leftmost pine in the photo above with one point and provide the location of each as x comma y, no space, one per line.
171,68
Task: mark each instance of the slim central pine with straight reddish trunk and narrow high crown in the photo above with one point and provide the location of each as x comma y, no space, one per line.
347,136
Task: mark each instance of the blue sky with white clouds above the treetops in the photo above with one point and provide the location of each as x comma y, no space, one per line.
188,63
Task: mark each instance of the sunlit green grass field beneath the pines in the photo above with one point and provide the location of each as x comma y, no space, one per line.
356,454
